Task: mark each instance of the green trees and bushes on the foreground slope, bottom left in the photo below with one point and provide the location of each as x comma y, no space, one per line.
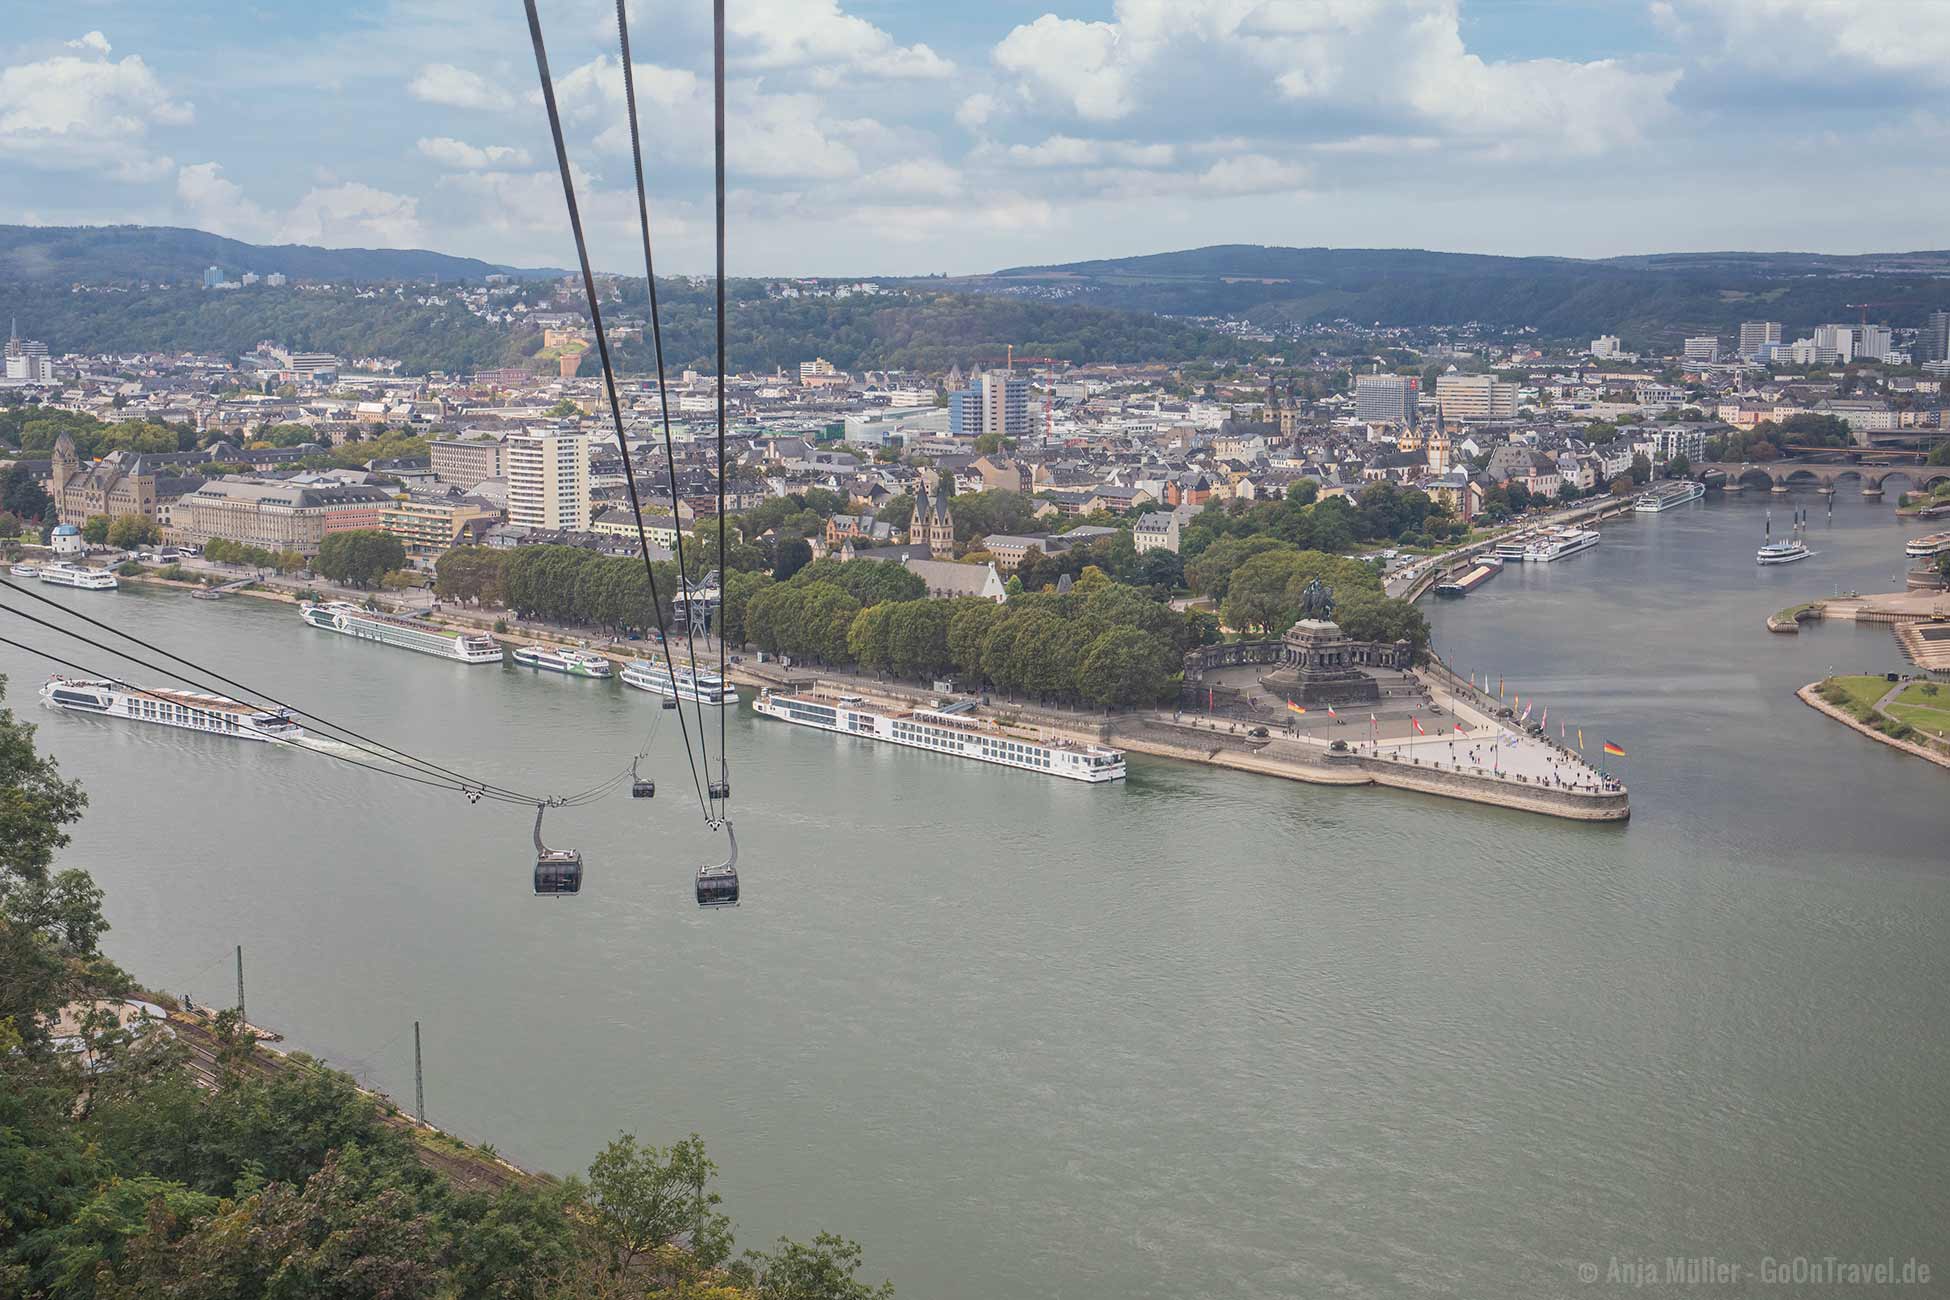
134,1182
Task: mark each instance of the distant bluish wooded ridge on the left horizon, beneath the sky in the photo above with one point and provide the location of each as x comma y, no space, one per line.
137,254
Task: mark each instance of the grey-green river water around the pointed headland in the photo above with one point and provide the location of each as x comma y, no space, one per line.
1202,1034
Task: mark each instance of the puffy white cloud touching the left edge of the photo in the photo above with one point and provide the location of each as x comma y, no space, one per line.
89,114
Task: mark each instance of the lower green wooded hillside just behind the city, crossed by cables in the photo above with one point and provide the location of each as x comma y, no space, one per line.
871,332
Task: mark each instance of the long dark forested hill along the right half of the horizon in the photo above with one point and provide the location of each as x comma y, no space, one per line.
1651,299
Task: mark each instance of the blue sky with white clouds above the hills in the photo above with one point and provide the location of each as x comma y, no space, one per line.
871,137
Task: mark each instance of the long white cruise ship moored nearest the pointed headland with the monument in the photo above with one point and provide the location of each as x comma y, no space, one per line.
949,730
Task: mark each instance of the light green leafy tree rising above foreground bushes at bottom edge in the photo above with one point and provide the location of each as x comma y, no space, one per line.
643,1198
